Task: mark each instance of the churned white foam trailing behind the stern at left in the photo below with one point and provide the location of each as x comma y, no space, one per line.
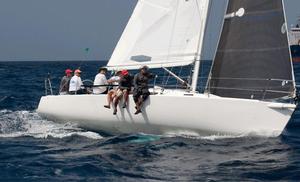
27,123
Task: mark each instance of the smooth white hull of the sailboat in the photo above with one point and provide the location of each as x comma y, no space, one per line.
170,113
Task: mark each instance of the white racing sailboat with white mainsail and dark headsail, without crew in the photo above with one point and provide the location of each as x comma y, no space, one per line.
250,88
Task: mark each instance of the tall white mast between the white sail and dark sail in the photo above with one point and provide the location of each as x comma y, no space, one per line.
202,11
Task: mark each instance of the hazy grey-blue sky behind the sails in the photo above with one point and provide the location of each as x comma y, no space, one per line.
62,29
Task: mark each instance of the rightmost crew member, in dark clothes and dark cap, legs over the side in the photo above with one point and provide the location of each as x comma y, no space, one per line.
141,90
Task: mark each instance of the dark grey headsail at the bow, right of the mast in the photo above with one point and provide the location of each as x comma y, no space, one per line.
253,57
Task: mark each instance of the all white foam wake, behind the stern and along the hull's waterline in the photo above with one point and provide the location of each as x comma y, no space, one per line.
28,123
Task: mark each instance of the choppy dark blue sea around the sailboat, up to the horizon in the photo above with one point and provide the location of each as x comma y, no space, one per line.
34,149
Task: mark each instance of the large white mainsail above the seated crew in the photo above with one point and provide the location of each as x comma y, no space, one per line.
161,33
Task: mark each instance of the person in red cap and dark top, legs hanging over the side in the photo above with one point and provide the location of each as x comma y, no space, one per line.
123,90
